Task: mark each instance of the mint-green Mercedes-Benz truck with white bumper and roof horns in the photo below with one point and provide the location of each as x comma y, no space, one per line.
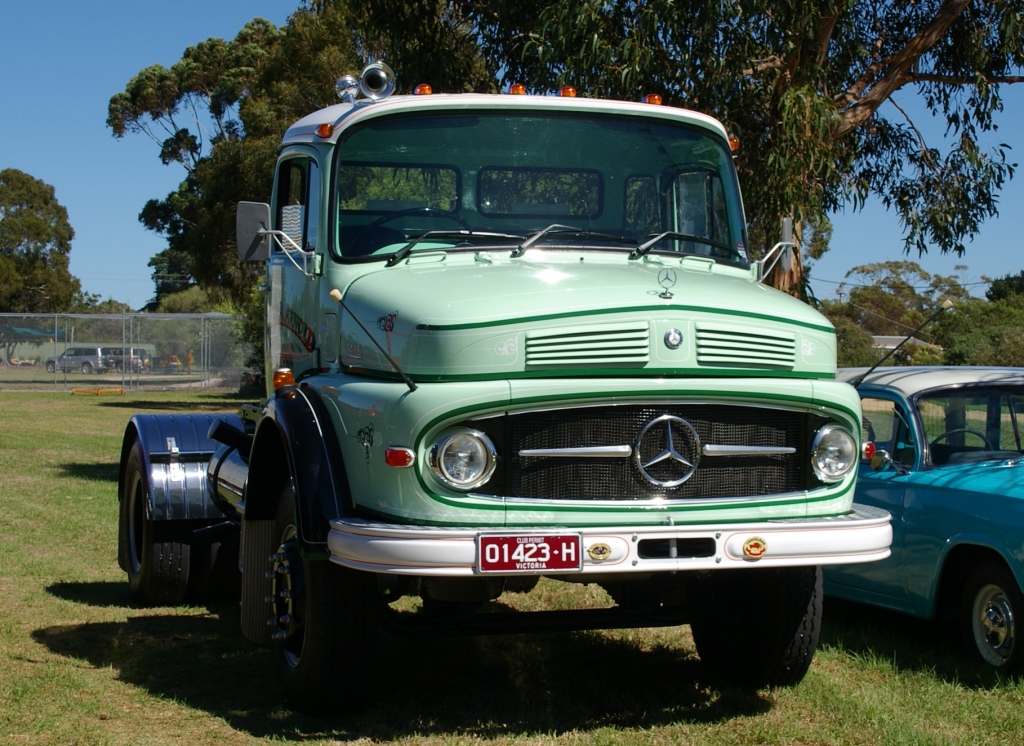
515,337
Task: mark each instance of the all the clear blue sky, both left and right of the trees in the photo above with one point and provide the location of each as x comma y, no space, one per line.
63,61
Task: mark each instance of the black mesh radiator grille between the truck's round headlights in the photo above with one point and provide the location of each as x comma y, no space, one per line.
754,452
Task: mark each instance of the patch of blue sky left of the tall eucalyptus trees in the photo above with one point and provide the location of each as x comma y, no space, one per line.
62,62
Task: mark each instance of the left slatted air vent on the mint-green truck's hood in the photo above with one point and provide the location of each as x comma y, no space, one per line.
600,346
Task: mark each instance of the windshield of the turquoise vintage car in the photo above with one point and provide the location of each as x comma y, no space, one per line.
973,424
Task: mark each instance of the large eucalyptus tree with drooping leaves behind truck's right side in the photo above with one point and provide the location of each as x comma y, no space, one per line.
810,90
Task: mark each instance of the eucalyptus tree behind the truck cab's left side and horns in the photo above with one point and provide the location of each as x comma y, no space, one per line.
220,113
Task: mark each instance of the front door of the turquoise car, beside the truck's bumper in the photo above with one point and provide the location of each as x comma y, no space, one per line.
887,423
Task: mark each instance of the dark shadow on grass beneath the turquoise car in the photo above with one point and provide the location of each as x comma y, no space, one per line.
906,643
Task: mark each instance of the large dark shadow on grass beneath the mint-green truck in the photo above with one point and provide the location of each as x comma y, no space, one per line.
475,687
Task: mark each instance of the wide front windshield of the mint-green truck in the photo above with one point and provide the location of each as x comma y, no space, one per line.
488,181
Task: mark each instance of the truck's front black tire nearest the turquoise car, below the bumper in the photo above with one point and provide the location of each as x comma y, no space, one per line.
758,628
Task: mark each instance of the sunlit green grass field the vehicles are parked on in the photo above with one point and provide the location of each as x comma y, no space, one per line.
81,665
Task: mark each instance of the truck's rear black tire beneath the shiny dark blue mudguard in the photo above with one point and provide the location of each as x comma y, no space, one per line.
158,572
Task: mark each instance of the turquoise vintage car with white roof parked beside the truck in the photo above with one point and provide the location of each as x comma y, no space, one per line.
949,466
